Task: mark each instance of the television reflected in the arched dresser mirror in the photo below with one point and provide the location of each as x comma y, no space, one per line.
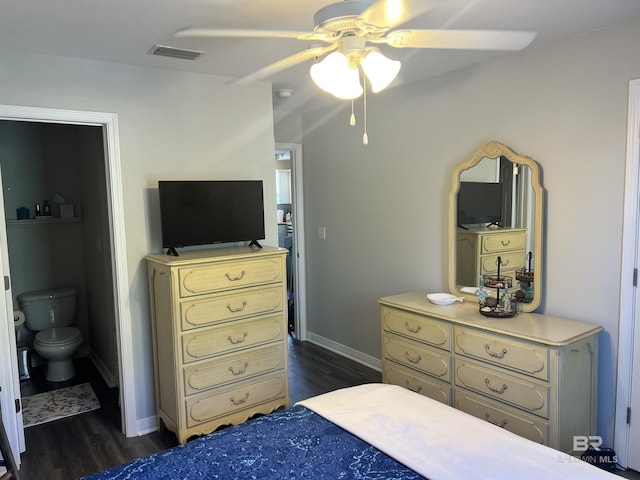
479,203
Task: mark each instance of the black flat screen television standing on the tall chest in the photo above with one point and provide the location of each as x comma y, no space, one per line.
194,212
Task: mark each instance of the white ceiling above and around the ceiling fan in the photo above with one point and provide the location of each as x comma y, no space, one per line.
125,30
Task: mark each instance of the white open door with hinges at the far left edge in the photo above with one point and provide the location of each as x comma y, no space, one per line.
9,377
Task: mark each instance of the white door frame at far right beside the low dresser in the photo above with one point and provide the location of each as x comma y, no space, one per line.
629,301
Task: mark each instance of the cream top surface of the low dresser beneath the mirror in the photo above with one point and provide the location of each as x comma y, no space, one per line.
540,328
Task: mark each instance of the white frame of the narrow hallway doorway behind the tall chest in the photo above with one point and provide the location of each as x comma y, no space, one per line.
297,207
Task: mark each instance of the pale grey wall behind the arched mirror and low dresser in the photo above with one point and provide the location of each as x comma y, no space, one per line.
384,205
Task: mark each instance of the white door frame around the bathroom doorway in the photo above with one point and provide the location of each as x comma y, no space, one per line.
109,124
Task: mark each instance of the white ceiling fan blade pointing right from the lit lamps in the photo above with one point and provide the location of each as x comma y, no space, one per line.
460,39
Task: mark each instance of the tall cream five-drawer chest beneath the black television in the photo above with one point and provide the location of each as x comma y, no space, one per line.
219,337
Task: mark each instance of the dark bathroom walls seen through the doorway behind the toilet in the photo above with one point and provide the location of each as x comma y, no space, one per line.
56,210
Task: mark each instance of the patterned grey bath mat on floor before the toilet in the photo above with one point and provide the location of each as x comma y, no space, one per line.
56,404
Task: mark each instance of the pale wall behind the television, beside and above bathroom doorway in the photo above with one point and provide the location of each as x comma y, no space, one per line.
172,125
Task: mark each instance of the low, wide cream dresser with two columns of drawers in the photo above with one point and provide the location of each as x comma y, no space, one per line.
532,374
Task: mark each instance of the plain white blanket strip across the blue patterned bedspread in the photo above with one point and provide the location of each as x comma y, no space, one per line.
440,442
